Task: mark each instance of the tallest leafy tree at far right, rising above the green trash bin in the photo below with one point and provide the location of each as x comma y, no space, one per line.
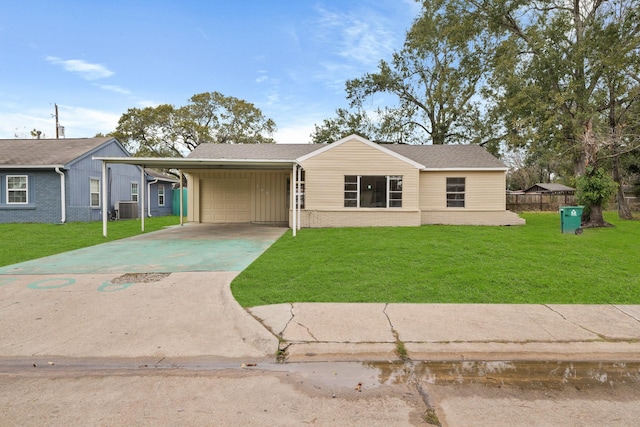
550,67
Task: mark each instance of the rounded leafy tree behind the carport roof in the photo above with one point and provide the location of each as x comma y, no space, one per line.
209,117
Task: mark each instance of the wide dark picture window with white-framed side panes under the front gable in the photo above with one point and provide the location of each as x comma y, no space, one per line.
372,191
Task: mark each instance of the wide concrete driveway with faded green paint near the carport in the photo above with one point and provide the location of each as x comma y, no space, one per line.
159,295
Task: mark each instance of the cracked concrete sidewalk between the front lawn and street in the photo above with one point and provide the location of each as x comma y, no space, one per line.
442,332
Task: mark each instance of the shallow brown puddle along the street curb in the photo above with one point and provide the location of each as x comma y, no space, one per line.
515,373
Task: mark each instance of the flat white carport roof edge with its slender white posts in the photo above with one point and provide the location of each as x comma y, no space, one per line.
182,164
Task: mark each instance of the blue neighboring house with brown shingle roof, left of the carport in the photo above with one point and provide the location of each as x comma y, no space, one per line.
57,180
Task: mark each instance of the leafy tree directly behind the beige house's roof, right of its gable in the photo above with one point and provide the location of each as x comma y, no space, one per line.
435,76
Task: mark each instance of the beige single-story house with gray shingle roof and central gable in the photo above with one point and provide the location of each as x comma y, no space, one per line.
350,183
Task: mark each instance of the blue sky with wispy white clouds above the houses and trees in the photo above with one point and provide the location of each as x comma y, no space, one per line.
96,59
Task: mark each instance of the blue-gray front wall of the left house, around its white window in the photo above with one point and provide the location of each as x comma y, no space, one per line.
43,198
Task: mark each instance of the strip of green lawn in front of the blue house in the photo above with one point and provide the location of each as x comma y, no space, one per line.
23,242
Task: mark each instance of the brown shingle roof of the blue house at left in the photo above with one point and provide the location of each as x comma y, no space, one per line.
46,153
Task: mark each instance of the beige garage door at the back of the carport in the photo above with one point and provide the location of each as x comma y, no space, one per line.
224,200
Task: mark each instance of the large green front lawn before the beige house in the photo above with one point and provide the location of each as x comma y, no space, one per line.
450,264
